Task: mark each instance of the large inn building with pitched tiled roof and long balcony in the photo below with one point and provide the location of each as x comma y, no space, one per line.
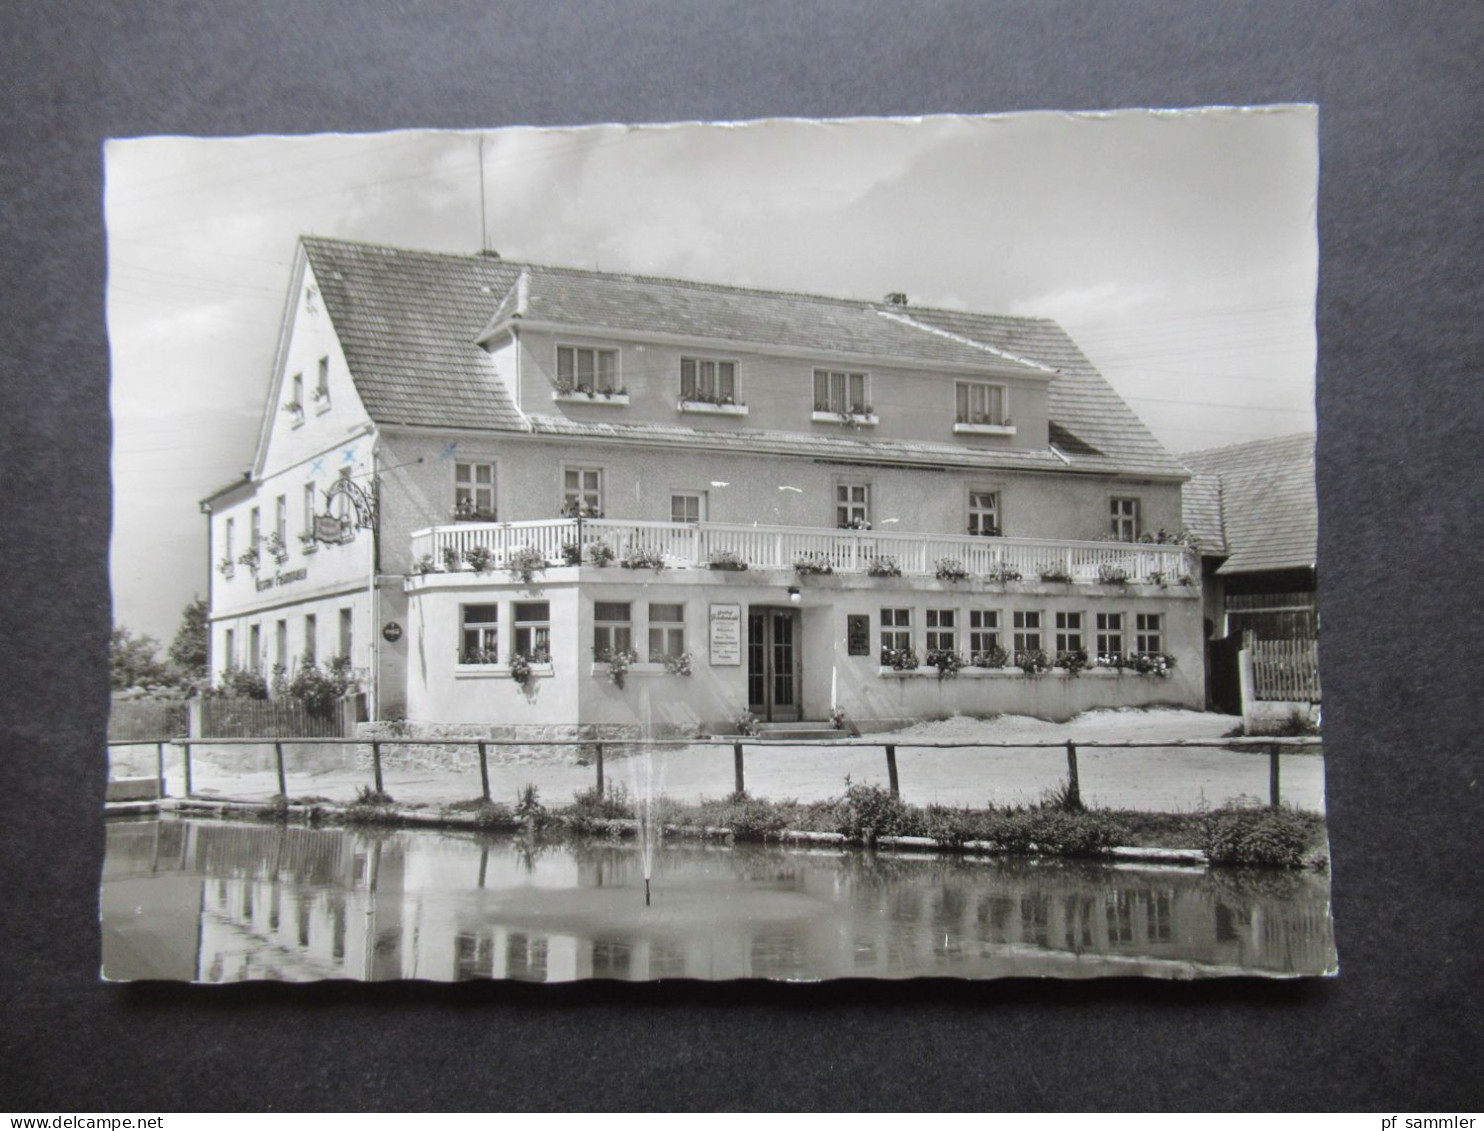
443,433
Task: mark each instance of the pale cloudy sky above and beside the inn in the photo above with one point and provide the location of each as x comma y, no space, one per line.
1179,250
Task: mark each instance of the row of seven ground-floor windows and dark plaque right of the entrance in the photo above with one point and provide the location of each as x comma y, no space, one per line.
988,639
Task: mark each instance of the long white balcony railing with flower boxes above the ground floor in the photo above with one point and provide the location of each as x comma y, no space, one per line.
694,545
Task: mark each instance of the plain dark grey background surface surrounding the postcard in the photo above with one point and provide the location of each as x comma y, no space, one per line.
1400,479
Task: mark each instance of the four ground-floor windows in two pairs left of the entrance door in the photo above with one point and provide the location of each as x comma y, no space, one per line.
618,629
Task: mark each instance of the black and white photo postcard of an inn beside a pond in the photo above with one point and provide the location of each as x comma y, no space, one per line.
793,550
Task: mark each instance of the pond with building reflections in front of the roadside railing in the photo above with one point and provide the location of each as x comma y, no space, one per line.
220,902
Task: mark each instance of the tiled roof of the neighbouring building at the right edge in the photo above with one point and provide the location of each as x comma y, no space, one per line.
1256,504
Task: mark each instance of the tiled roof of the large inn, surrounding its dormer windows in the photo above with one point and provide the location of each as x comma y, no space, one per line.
410,324
